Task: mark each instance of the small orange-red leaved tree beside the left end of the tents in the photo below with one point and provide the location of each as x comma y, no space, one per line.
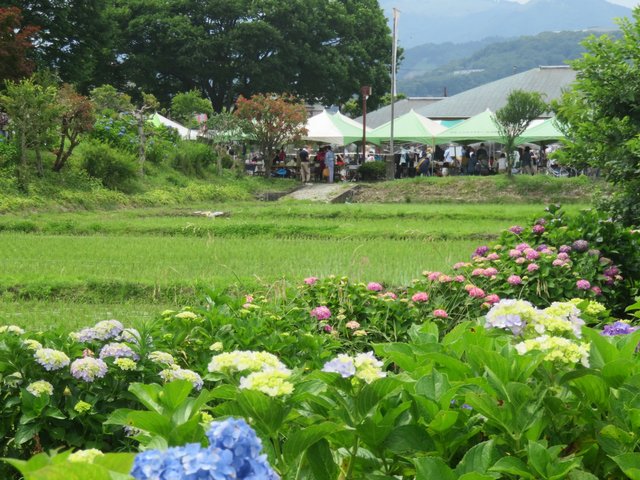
272,120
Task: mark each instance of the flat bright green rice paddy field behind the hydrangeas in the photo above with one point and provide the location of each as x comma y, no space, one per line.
70,269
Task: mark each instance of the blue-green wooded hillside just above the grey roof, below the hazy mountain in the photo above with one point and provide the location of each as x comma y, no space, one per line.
492,62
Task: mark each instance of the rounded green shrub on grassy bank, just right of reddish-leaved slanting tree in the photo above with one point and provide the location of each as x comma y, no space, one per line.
116,169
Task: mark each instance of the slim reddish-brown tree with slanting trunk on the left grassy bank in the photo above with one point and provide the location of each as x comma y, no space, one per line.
77,117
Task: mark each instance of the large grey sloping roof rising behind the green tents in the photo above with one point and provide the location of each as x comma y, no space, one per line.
550,81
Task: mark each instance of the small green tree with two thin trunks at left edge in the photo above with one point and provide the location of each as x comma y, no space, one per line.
33,111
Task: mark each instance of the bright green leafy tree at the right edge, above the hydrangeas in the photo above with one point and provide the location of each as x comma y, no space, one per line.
602,116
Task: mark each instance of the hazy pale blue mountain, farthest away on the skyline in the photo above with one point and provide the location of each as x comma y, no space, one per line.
460,21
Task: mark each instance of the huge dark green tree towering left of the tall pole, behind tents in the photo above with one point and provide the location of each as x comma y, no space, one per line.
317,49
